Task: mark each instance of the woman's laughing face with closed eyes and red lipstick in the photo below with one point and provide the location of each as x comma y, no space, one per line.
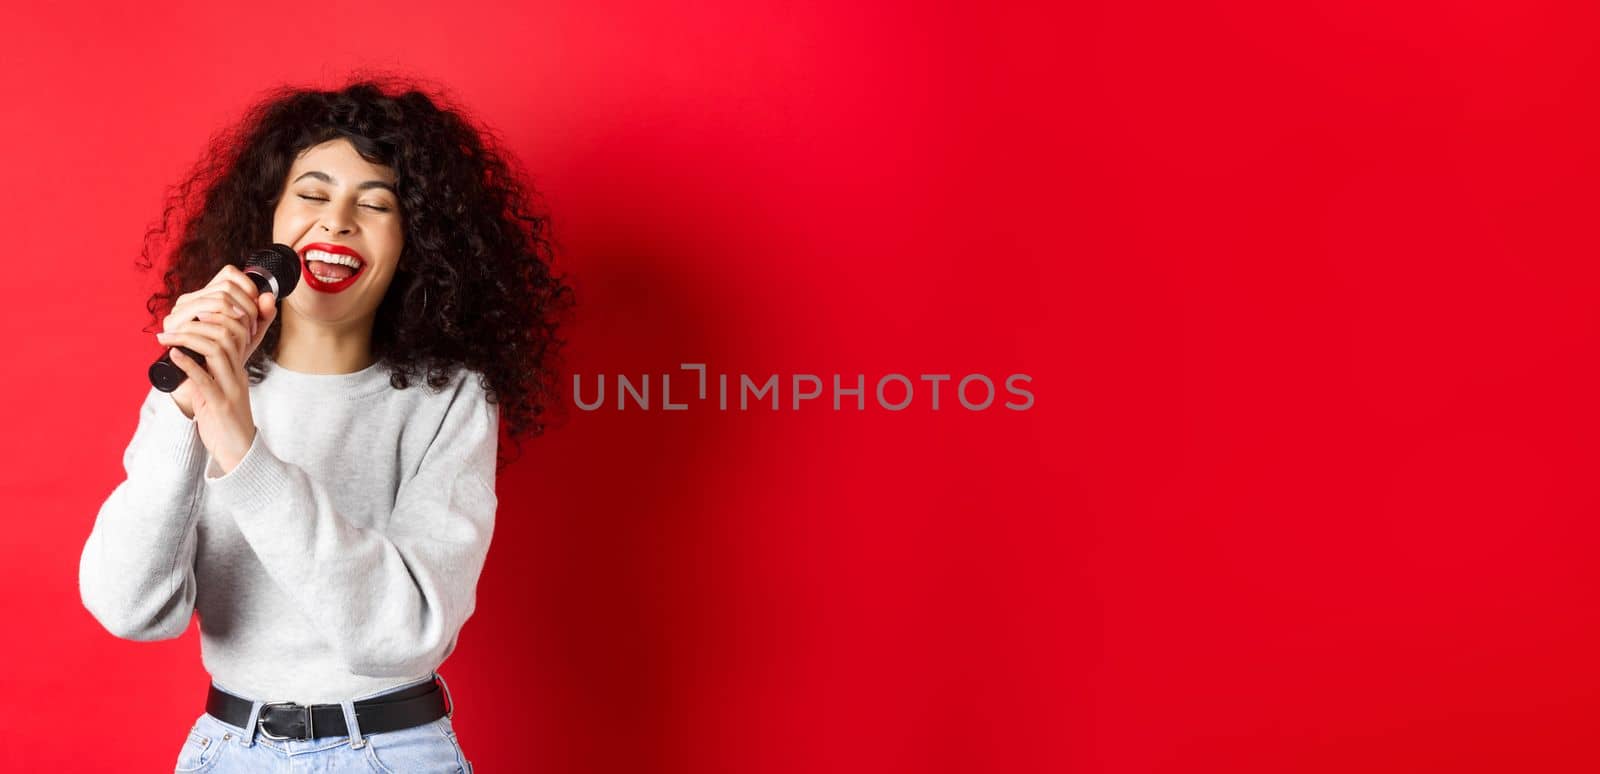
340,209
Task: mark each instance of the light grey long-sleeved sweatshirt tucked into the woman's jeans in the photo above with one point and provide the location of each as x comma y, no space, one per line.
337,561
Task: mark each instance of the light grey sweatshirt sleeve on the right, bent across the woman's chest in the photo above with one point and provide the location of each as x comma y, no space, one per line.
390,602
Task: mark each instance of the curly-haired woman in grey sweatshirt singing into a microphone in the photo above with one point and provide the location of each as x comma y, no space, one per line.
324,516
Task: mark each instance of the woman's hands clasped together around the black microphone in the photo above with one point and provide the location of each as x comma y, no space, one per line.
233,321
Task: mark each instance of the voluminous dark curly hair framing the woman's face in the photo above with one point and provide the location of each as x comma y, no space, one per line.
474,287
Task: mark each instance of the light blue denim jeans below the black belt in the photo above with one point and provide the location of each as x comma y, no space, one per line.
226,749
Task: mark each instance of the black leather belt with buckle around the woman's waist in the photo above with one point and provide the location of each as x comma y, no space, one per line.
287,720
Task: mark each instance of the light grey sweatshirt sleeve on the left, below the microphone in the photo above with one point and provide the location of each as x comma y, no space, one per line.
137,570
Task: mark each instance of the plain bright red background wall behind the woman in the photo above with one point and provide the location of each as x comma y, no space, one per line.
1305,295
